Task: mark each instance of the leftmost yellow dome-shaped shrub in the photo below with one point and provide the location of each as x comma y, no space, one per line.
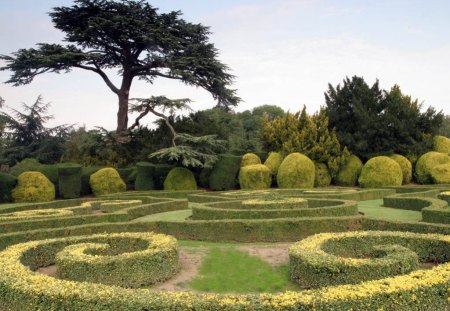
33,187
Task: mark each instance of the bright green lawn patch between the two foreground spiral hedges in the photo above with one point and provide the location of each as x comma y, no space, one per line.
227,270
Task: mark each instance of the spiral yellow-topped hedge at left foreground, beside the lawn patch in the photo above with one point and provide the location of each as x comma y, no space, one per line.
129,260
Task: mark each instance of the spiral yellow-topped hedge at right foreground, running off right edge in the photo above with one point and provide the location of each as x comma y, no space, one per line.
353,257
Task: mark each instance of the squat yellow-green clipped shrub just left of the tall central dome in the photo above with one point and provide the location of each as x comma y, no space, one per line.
256,176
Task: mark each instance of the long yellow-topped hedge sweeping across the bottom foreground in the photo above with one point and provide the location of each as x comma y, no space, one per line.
23,289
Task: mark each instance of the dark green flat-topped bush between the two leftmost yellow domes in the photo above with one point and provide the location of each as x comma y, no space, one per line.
69,180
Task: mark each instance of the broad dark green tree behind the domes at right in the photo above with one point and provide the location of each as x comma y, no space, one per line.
371,121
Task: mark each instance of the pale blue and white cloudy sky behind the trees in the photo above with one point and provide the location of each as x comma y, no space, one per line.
282,52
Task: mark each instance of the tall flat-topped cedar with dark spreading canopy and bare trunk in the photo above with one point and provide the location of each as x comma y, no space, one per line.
132,36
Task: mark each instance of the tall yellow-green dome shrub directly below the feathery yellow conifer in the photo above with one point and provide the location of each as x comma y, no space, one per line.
296,171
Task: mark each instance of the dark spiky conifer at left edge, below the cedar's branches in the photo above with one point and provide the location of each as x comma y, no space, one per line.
26,136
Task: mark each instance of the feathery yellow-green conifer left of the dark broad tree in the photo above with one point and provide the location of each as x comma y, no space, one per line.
305,134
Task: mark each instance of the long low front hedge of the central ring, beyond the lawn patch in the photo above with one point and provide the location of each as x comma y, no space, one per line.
234,210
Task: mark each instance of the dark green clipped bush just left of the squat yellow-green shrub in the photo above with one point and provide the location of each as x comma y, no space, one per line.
224,173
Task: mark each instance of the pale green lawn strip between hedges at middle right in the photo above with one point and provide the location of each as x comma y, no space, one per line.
374,209
